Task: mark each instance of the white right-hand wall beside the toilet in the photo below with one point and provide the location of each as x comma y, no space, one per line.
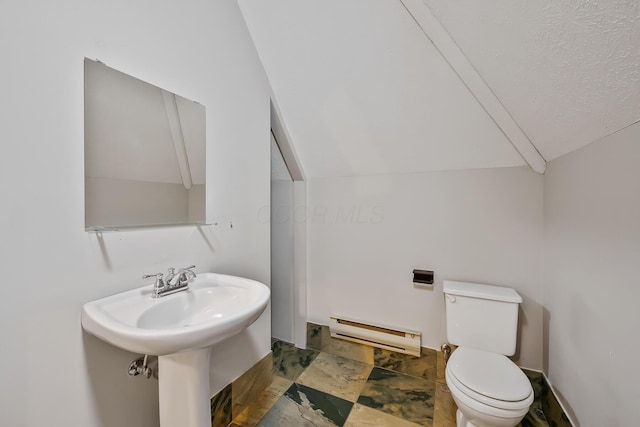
591,292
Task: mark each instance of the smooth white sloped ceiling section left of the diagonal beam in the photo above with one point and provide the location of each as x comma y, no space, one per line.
362,90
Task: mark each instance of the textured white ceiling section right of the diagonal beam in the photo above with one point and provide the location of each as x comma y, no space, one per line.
567,71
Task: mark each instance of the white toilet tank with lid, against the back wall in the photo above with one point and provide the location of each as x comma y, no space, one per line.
483,317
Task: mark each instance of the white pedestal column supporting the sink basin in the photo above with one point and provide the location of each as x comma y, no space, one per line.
183,388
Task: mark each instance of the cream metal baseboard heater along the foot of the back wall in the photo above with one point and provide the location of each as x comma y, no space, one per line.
394,339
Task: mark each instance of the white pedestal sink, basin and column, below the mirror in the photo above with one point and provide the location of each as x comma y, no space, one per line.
180,329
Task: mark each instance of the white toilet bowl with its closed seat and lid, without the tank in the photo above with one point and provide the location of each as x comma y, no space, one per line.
489,389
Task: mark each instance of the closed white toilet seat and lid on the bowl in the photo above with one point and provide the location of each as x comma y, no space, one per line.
490,379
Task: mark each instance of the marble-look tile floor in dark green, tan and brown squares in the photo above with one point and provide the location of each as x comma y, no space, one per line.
314,388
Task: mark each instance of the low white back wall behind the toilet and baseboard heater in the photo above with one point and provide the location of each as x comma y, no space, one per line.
367,234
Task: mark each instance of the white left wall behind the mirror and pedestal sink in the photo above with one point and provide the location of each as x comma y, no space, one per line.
52,373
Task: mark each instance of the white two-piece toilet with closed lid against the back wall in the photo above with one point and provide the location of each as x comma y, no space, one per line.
489,389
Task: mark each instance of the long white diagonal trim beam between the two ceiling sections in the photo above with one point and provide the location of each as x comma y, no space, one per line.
477,86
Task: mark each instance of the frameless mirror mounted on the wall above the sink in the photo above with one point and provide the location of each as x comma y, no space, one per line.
144,153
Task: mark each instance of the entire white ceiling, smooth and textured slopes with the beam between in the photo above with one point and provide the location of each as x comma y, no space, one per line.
366,87
